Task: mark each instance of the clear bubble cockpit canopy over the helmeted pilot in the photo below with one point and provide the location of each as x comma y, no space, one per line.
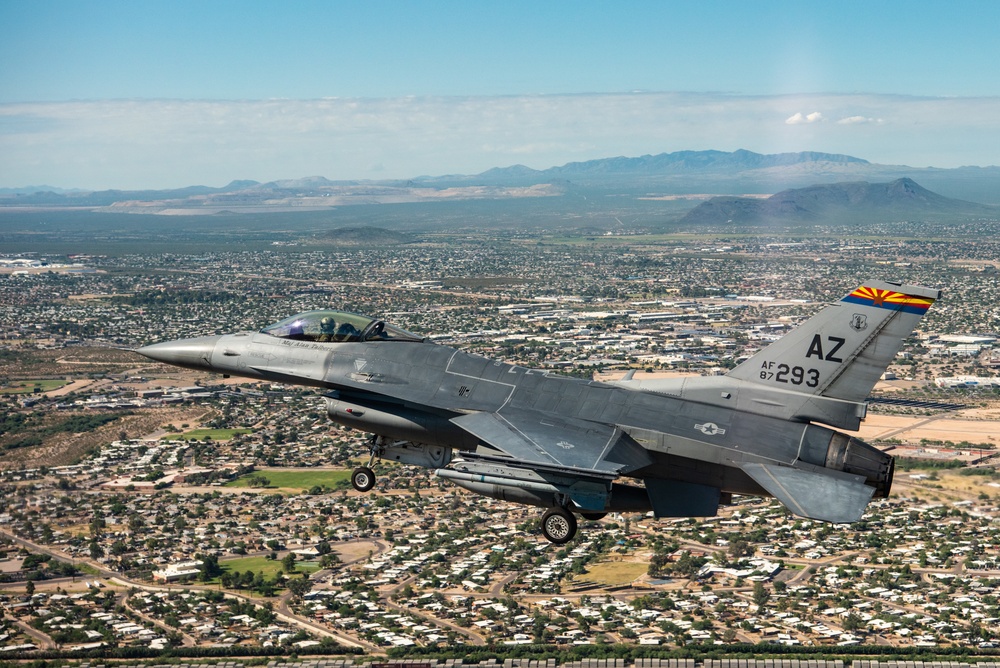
337,327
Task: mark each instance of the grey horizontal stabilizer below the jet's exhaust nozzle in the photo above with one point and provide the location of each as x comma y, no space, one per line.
831,497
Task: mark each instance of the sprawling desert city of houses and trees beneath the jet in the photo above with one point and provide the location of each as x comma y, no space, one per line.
154,508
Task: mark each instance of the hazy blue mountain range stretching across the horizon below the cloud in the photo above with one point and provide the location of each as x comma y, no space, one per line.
682,173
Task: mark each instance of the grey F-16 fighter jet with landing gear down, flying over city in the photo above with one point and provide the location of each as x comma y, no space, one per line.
677,447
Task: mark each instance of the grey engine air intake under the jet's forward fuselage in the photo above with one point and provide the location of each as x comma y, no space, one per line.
400,423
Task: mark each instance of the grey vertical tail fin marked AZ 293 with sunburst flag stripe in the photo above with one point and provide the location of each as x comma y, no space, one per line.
843,350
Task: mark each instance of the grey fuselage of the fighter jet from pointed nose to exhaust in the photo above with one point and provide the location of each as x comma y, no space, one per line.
411,390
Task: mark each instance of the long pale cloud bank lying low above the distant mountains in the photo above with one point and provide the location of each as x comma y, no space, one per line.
168,143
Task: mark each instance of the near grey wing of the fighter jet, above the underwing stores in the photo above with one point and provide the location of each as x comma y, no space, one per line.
536,437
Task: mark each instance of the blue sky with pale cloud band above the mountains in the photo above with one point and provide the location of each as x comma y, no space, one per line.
134,94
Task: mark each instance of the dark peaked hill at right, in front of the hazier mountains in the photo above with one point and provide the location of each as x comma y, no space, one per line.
902,199
